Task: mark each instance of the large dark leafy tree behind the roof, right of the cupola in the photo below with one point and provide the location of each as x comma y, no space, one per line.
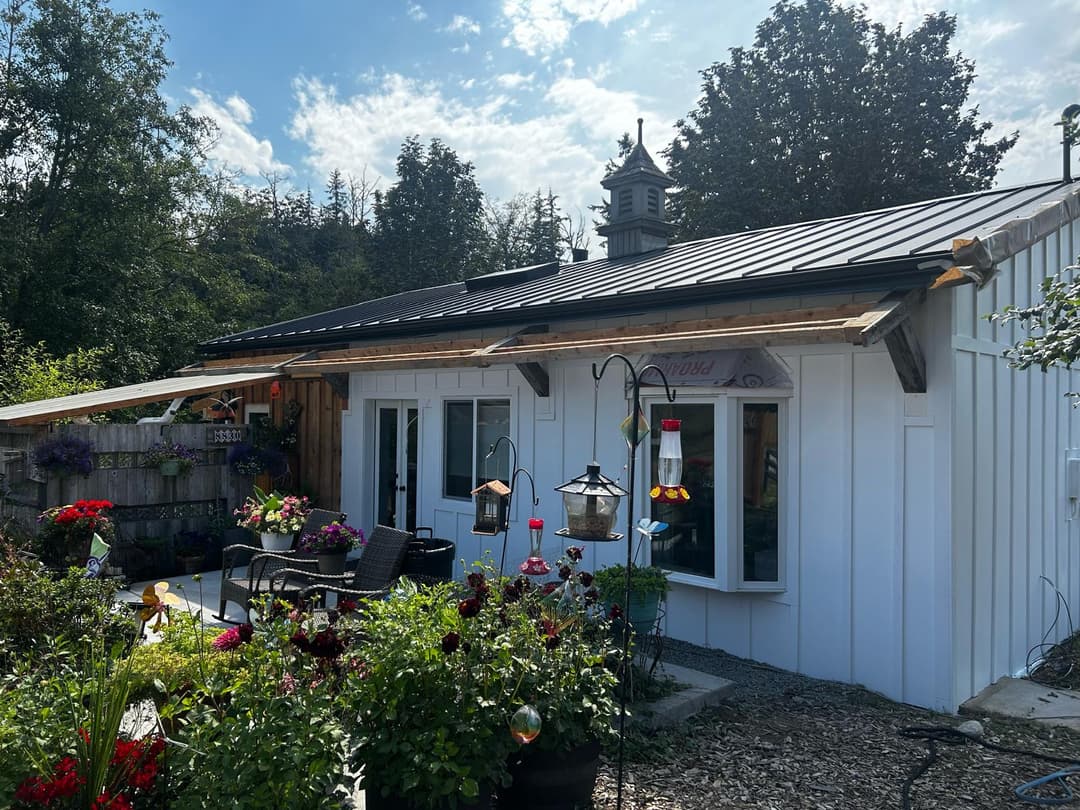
829,114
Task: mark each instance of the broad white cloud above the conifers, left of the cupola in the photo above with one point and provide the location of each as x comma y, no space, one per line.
564,147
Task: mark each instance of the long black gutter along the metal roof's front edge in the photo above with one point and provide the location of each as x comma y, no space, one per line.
872,277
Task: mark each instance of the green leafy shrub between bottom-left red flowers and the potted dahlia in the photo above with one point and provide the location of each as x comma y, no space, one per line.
267,727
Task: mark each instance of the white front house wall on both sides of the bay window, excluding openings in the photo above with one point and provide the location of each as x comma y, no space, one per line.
866,600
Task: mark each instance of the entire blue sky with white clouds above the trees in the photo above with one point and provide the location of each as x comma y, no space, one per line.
536,92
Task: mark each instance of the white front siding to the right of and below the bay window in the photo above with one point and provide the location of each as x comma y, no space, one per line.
868,576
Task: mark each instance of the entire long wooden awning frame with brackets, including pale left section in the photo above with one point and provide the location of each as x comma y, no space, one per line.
530,349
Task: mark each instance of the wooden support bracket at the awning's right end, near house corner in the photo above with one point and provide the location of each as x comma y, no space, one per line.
890,320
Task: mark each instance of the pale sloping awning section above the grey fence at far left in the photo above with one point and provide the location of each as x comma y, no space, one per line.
46,411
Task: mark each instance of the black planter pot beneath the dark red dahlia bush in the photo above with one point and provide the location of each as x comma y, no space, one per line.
550,780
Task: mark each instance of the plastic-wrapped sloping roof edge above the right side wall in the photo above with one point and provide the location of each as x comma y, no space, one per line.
979,259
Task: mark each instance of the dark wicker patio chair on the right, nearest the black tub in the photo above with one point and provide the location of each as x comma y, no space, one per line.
381,564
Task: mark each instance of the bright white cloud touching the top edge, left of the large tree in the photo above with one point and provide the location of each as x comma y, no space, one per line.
544,26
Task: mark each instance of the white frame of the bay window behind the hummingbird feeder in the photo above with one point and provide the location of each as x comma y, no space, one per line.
728,445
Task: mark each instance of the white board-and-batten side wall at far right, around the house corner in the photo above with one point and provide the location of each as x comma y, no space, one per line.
1011,517
